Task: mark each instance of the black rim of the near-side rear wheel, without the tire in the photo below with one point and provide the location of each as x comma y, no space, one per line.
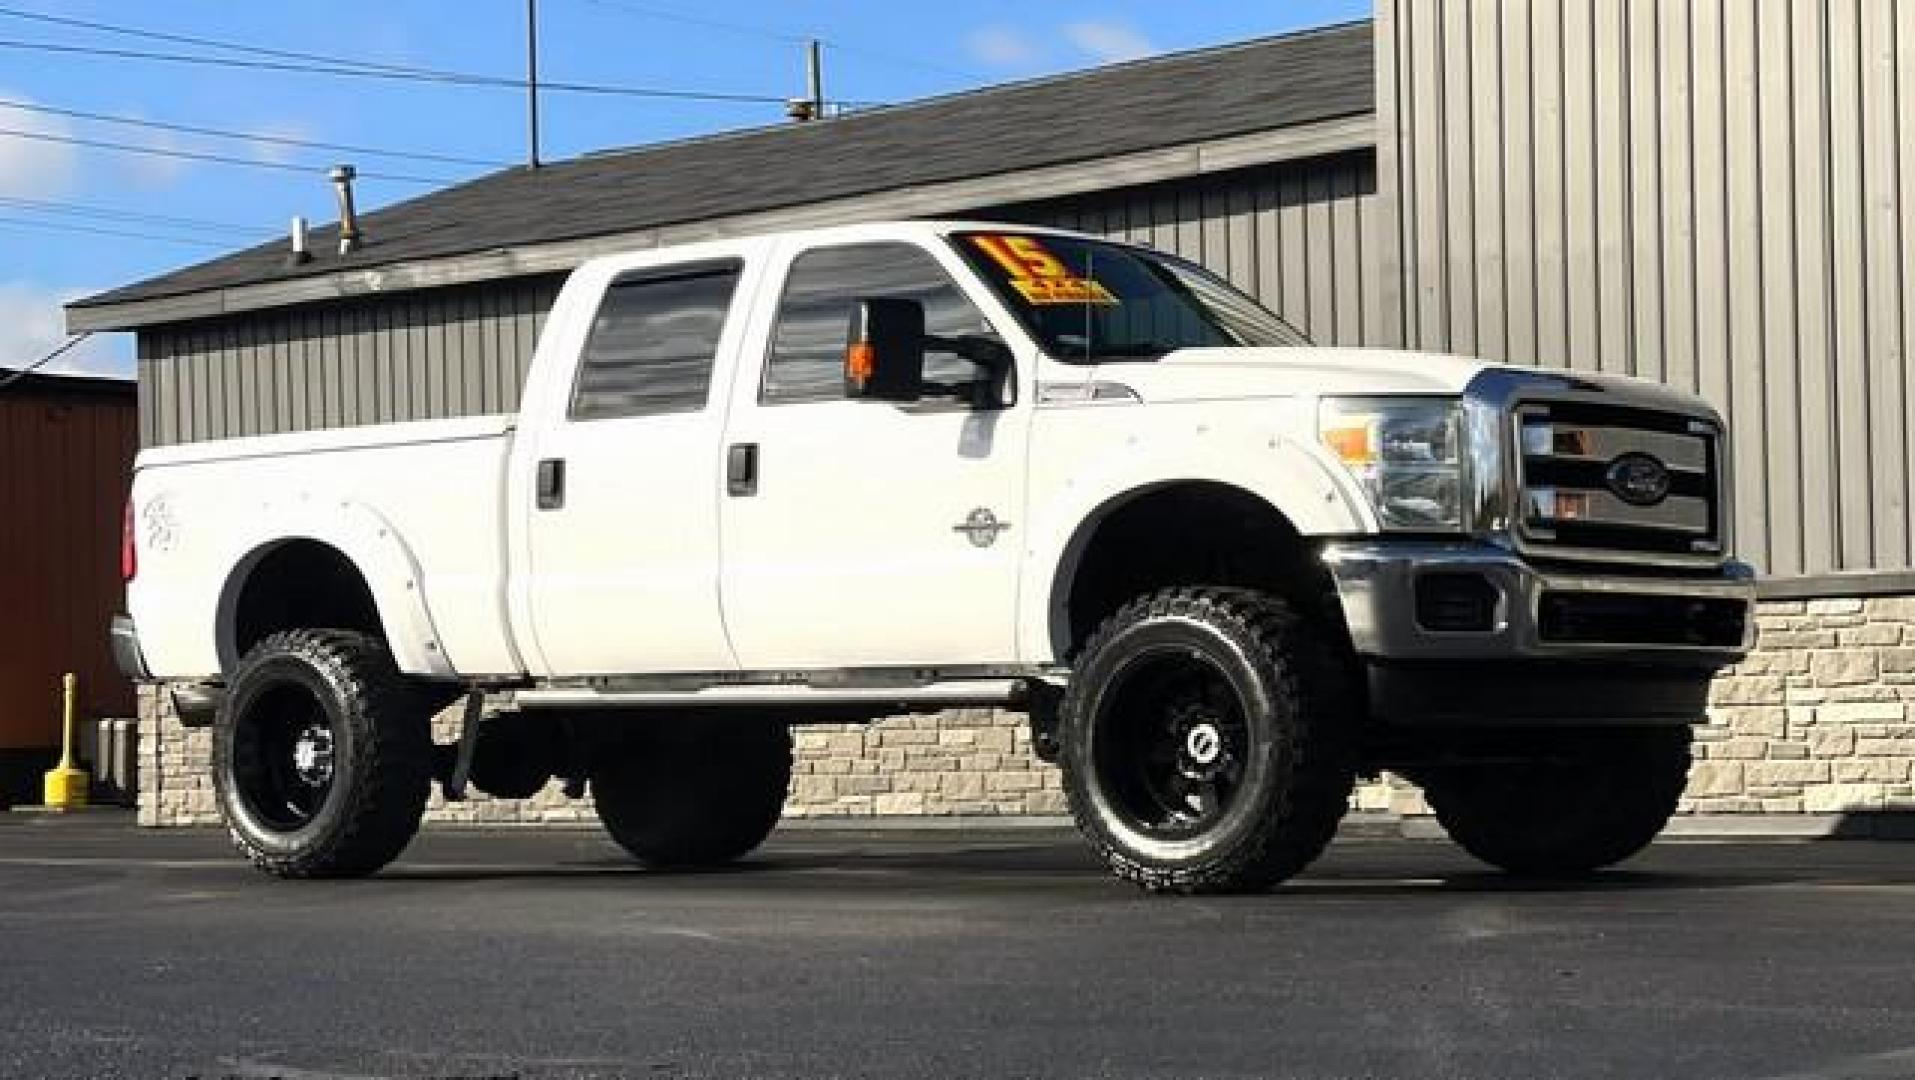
284,757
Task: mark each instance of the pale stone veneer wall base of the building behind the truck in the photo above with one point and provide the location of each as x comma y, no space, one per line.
1820,719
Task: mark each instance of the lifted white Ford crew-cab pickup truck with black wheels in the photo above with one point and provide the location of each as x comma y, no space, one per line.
899,468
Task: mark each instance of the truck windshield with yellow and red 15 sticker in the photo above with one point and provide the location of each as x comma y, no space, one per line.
1091,302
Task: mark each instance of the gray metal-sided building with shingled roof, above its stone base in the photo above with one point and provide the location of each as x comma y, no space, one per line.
1703,192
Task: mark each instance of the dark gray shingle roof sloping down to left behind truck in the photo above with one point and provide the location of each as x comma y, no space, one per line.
1148,104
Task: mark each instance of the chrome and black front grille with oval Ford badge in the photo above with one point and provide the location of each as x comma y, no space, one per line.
1619,484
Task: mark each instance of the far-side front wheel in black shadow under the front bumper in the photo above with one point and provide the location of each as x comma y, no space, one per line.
1592,799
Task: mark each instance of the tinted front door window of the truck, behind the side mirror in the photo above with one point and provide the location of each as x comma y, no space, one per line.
809,346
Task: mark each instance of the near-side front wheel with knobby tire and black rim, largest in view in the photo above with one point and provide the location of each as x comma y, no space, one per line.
1207,742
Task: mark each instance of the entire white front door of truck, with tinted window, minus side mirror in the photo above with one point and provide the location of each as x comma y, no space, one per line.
878,535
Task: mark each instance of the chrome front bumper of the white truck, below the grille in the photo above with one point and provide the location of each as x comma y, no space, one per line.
1378,583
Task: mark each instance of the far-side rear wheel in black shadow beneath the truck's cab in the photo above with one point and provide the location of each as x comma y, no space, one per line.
694,792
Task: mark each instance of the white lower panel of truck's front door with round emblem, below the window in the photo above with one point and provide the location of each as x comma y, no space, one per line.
851,551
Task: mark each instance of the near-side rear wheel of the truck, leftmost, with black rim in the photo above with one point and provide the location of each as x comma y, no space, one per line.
323,755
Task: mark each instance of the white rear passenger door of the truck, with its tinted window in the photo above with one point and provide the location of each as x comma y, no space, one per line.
623,529
